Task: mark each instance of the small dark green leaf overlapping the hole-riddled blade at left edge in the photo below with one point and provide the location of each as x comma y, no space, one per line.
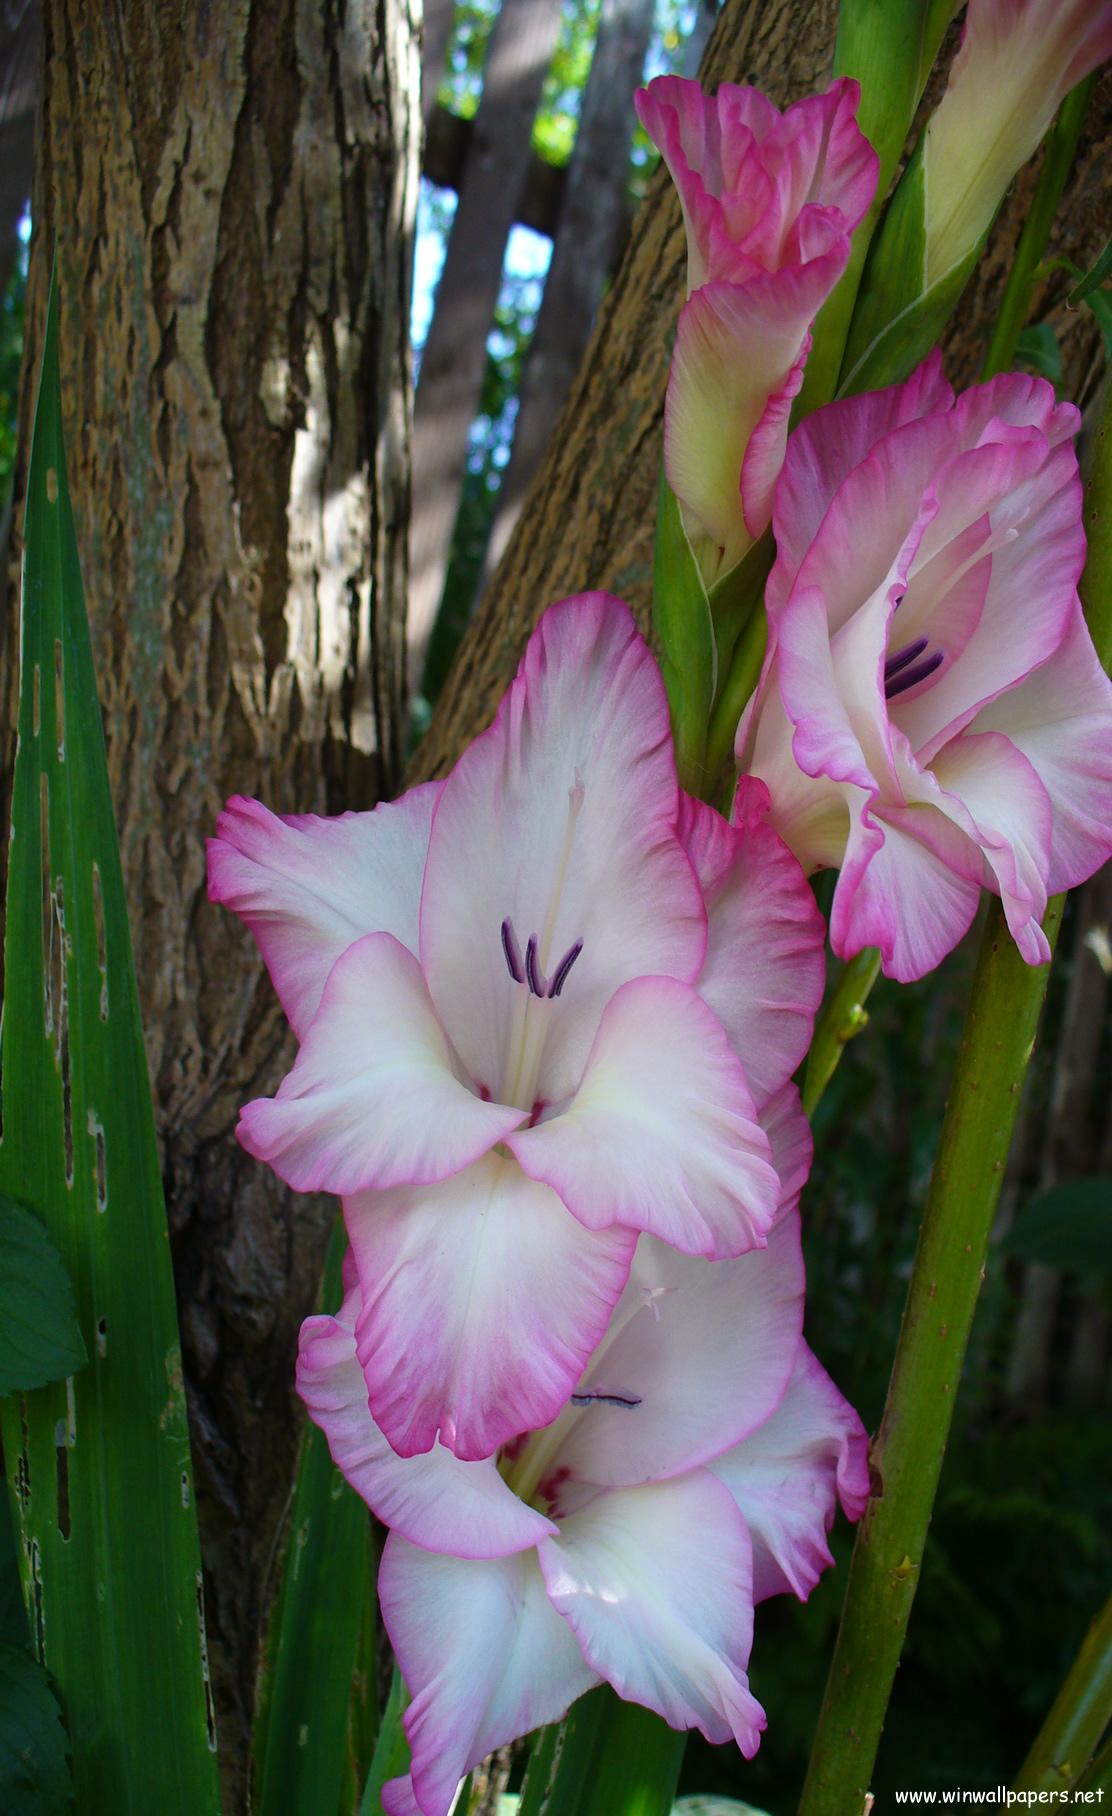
39,1332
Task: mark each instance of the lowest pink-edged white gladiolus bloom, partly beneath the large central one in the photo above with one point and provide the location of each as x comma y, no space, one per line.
695,1472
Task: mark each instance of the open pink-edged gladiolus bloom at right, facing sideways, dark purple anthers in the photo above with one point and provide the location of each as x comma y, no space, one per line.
933,716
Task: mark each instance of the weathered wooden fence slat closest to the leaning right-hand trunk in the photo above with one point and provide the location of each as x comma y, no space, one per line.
593,222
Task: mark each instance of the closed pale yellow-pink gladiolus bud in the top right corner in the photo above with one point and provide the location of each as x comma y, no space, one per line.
1017,64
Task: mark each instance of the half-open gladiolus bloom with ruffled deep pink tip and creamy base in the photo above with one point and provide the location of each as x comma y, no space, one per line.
769,204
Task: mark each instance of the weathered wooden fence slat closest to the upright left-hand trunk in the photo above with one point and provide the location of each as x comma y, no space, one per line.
455,353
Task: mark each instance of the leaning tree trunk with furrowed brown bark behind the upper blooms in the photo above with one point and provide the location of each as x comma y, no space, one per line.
590,515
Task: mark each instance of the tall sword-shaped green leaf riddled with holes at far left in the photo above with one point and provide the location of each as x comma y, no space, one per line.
101,1463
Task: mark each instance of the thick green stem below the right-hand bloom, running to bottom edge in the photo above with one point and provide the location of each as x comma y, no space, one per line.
1008,998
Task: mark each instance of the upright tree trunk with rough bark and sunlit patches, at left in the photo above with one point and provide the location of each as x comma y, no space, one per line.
232,190
